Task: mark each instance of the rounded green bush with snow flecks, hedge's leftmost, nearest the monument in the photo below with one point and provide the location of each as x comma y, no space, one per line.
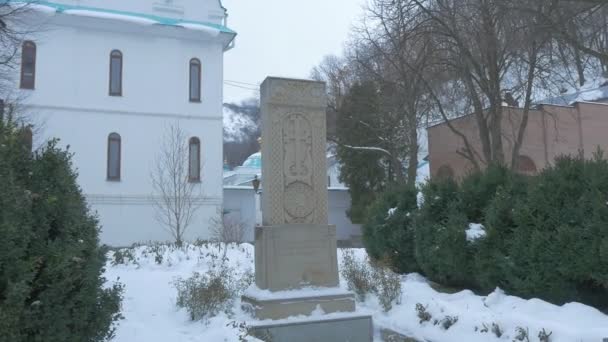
388,233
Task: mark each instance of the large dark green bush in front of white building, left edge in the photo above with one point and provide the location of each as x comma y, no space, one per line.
51,264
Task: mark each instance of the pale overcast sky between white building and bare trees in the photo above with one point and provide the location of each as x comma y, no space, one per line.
282,38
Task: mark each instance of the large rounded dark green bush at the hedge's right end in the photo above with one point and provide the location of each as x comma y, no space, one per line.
560,247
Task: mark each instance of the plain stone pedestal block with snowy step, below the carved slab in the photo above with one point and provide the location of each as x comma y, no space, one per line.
296,265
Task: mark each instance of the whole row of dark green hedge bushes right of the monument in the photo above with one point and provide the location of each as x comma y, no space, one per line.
545,236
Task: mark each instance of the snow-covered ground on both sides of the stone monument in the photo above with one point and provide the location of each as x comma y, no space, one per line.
152,316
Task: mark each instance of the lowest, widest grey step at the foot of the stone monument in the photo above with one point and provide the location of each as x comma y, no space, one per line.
351,328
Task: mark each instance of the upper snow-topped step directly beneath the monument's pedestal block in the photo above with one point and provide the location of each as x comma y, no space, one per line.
279,307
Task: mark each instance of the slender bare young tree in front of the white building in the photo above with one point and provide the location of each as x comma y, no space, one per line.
176,197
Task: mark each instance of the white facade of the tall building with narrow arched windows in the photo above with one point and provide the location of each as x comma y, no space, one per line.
71,99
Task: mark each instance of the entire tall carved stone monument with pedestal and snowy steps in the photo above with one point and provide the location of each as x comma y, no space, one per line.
296,267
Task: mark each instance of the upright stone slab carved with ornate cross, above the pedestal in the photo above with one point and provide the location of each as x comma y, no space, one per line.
294,168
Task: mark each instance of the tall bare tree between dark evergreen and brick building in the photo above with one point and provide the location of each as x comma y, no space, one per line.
395,55
